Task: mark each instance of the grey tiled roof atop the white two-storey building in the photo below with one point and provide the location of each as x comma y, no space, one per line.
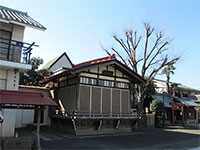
9,15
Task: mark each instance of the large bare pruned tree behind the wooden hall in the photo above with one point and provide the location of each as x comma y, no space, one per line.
154,55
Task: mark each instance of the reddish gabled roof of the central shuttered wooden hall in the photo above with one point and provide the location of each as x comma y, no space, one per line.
90,63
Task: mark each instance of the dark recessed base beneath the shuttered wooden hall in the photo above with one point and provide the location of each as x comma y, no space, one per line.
92,127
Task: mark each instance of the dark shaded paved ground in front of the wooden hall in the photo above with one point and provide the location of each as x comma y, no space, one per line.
169,138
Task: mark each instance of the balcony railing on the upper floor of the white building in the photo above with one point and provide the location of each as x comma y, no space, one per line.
15,51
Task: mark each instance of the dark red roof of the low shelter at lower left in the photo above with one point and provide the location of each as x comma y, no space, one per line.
24,98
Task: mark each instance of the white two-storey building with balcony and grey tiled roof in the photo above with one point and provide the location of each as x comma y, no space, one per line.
14,58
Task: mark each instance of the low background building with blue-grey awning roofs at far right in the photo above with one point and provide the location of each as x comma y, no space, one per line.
180,94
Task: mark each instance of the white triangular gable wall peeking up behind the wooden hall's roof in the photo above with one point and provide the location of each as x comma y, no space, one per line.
62,62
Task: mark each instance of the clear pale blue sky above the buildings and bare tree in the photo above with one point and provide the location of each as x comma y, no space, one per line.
78,27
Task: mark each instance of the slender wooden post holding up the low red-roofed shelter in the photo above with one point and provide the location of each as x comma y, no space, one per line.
38,128
